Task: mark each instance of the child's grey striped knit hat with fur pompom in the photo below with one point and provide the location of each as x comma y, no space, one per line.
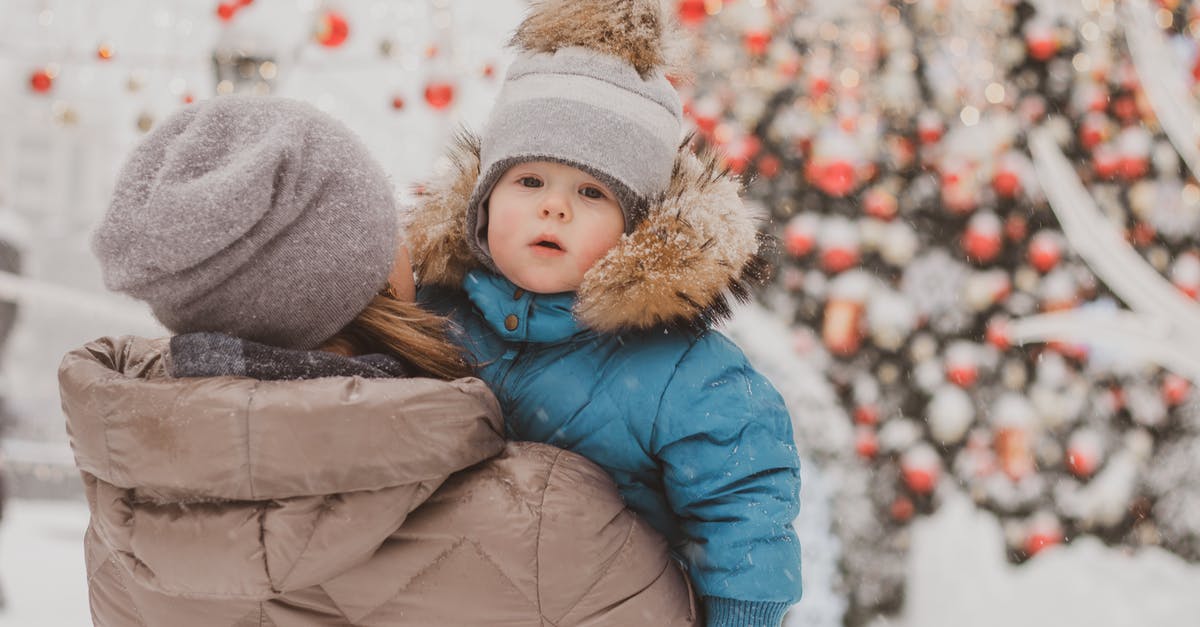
587,89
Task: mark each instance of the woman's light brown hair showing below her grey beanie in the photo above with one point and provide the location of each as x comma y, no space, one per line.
404,331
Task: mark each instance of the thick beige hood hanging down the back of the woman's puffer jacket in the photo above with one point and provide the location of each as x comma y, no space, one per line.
157,445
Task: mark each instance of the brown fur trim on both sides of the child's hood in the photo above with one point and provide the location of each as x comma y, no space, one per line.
698,246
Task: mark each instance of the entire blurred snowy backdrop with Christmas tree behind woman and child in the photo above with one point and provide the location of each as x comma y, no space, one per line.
985,309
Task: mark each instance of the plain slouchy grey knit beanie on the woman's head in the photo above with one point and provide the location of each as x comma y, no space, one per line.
256,217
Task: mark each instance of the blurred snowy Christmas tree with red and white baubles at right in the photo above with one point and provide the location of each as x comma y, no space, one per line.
917,159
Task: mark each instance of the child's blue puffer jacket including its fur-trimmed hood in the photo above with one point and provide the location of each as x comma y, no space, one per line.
628,373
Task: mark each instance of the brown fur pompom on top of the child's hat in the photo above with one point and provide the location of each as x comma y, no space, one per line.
640,32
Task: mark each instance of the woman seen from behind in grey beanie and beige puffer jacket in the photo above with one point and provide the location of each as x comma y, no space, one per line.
305,450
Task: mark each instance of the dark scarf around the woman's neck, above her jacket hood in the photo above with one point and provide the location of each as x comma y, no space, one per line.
214,355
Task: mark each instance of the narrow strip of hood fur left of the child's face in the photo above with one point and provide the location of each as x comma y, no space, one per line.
436,231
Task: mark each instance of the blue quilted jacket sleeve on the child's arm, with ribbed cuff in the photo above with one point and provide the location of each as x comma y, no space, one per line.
731,473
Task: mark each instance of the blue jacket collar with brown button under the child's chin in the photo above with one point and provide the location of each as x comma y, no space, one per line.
521,317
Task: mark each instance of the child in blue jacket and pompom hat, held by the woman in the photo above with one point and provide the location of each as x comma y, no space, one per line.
586,255
